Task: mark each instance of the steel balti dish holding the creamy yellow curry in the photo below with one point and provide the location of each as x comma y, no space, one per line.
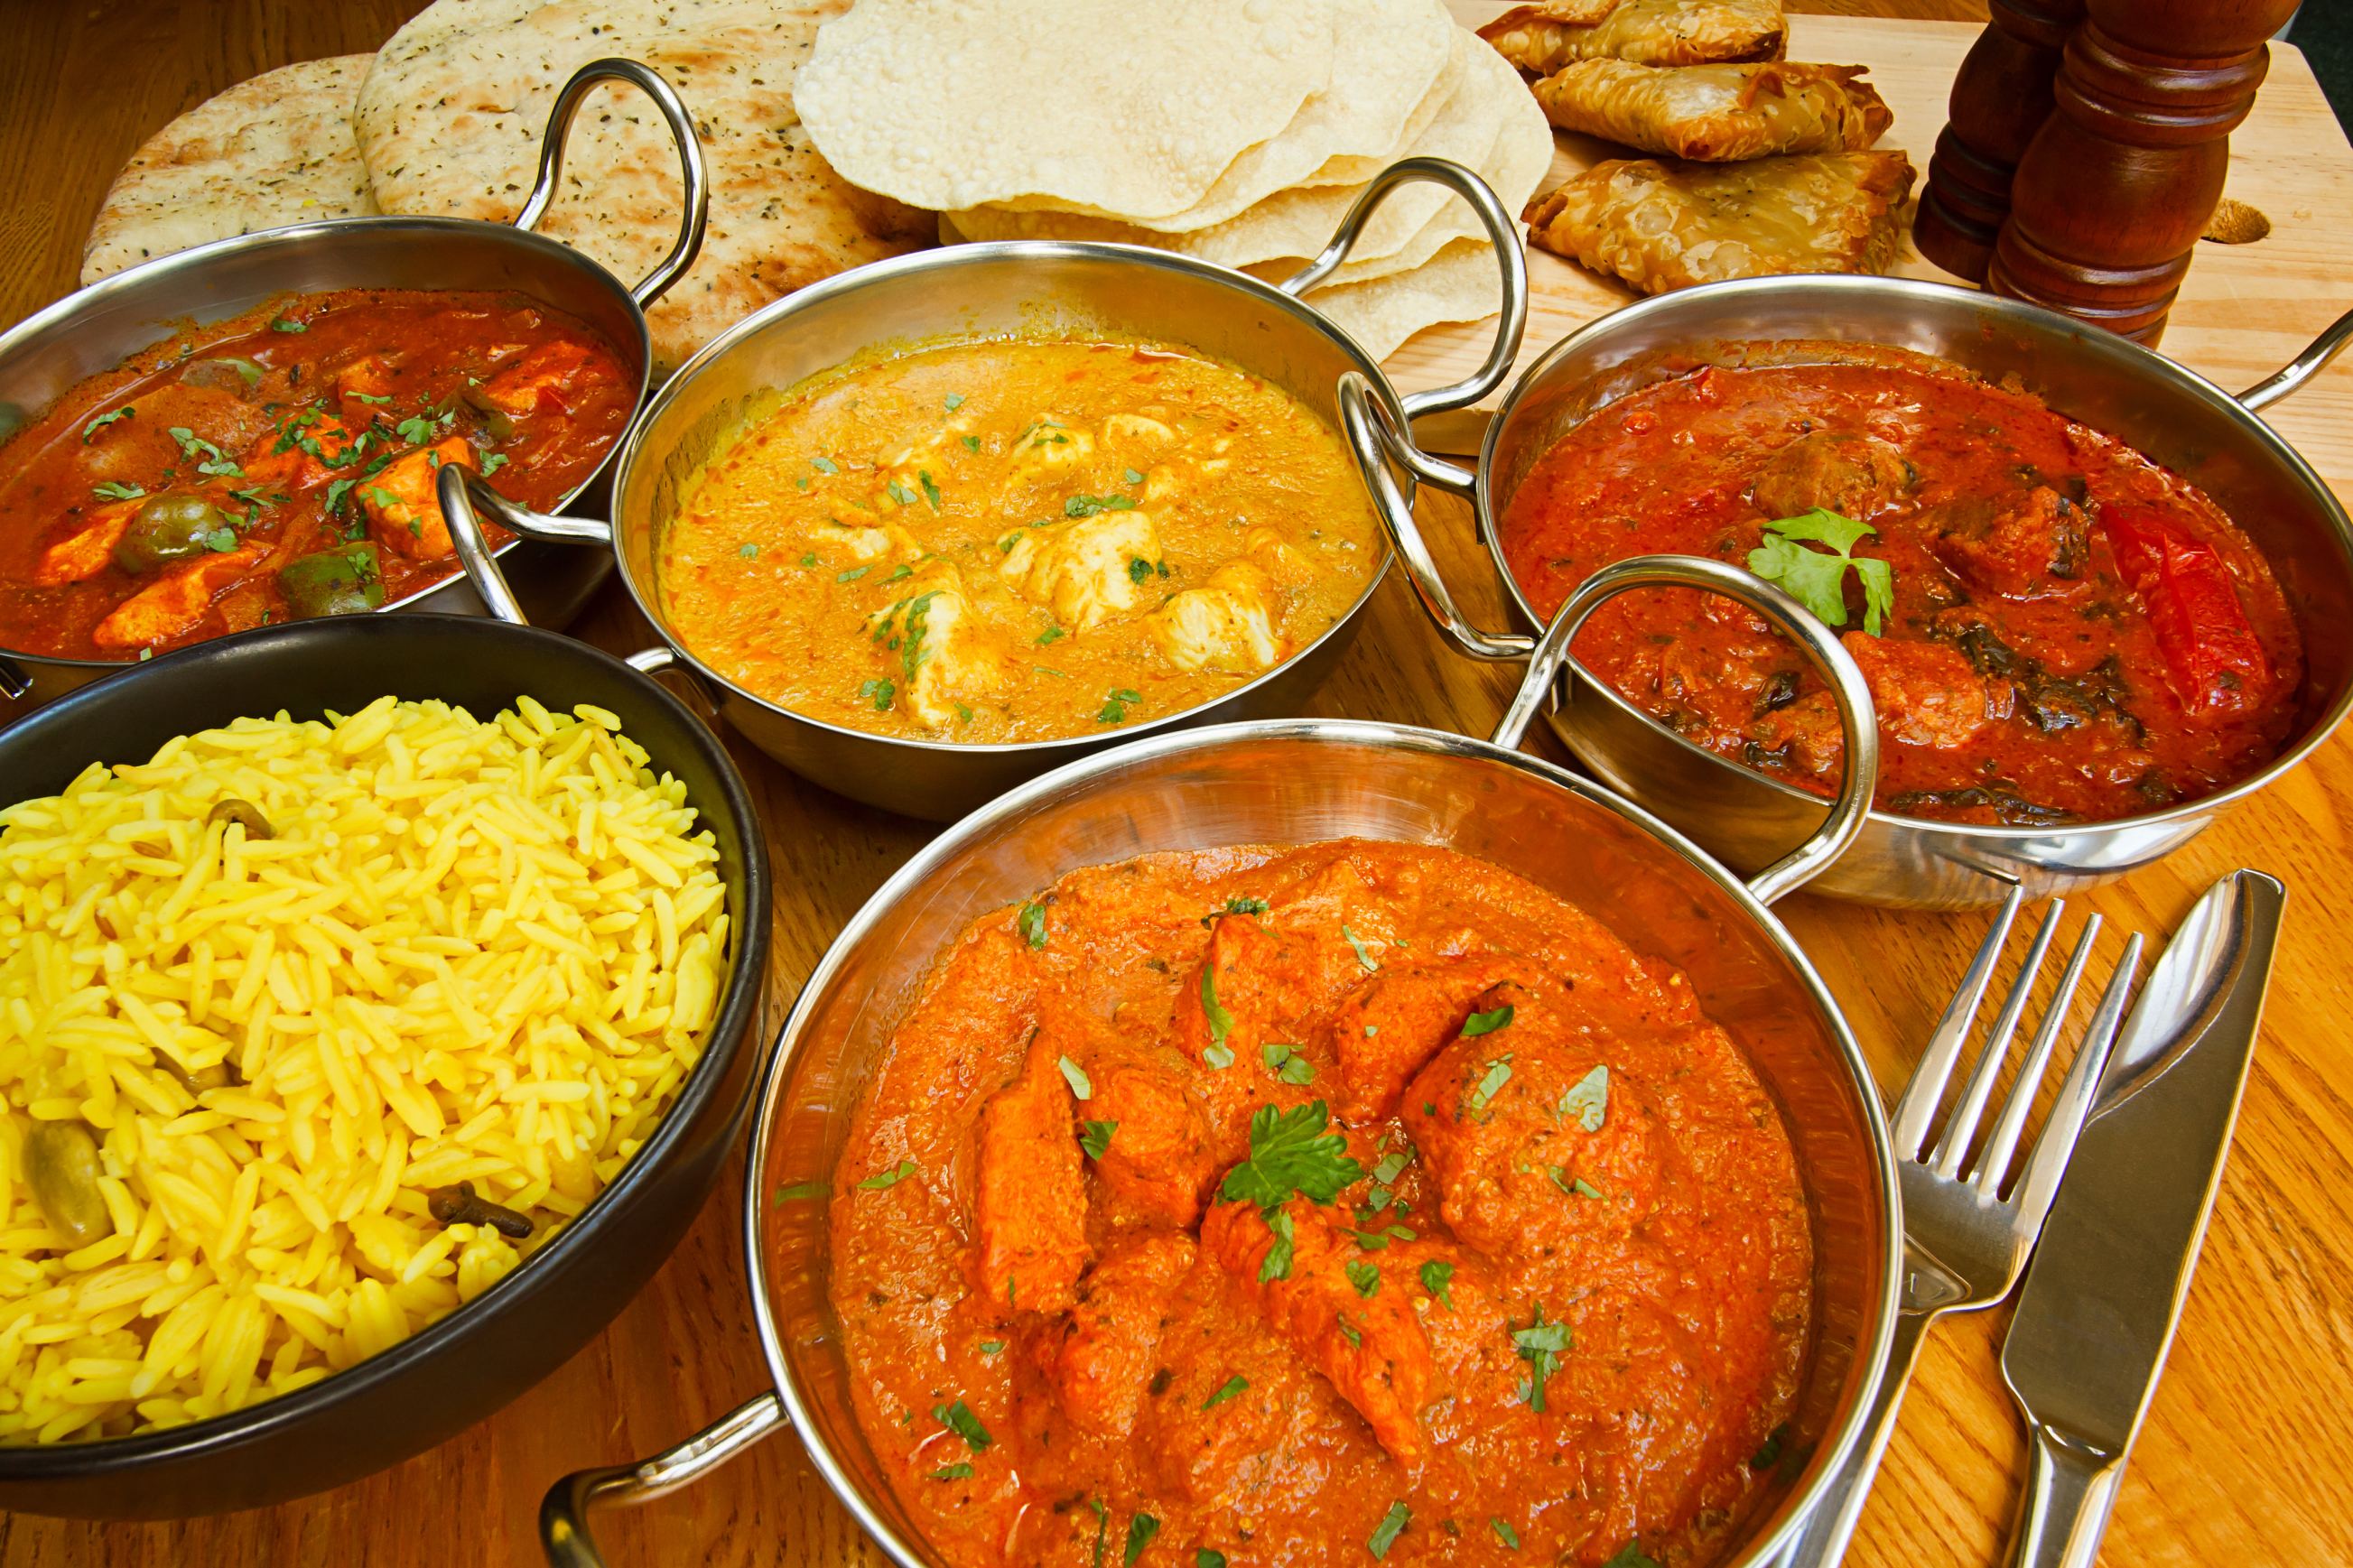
968,290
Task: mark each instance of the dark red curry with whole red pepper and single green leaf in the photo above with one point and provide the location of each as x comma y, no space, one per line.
2053,626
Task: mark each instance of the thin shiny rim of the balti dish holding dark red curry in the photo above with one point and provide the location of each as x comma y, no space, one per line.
2180,380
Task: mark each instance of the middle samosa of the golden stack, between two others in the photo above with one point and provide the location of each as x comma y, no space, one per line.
1719,114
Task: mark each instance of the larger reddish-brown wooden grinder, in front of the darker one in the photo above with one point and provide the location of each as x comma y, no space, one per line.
2124,177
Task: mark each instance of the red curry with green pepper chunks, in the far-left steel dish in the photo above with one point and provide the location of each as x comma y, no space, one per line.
284,464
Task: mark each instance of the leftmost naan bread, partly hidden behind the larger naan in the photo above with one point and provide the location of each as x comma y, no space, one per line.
265,154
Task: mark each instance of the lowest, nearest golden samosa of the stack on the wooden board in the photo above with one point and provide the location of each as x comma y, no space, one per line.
1674,225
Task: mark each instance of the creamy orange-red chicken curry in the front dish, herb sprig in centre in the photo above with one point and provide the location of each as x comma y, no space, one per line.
1331,1205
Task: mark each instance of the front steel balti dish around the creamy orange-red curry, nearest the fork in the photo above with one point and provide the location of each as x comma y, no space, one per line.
1288,782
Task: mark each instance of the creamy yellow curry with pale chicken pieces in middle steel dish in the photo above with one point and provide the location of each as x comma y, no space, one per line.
1018,540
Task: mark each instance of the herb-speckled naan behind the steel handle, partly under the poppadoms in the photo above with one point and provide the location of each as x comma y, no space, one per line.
453,112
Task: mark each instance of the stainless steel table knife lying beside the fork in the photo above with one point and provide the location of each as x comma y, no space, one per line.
2114,1266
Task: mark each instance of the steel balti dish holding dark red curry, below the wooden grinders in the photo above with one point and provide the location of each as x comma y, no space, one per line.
2088,375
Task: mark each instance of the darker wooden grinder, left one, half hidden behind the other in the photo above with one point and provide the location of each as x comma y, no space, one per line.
2001,100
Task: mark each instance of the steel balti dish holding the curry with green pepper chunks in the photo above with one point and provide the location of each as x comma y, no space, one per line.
112,321
